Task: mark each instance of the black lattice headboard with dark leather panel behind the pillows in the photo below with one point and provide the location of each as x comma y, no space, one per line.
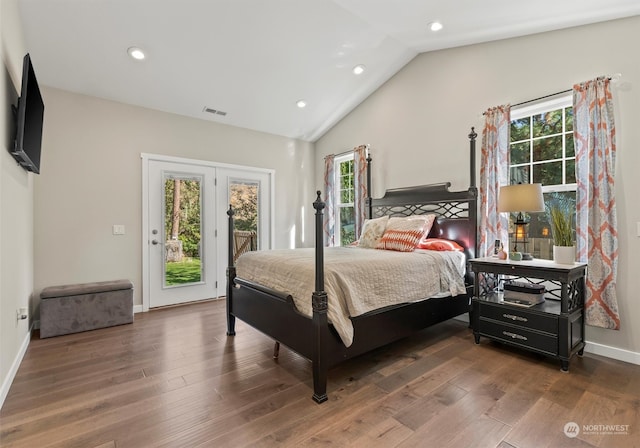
456,210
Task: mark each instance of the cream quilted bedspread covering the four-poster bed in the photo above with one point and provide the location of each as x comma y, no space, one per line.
356,280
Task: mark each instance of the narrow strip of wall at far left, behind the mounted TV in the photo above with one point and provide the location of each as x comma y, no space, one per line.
16,209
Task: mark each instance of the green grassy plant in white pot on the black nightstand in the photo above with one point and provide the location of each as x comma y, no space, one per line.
561,215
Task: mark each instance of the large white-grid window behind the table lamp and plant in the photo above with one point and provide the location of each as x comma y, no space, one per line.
542,151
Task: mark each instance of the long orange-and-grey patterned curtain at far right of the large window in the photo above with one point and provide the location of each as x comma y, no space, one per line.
596,223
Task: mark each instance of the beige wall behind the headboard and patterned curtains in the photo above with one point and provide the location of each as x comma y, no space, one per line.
417,125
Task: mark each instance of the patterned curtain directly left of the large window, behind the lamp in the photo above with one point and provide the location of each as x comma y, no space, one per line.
494,173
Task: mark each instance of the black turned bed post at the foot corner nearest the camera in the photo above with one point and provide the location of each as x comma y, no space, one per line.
320,307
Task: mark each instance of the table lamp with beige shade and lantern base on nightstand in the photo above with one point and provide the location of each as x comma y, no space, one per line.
520,198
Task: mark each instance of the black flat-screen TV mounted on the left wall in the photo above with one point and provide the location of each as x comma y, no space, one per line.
29,119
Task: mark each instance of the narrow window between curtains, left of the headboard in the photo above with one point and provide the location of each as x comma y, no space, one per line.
344,201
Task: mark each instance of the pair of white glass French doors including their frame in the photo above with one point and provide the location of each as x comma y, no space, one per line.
185,235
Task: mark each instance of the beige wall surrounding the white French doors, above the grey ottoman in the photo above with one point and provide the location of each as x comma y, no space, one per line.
91,179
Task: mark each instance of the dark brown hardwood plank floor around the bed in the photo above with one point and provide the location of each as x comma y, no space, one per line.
174,379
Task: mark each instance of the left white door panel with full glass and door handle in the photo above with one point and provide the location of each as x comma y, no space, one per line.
182,233
